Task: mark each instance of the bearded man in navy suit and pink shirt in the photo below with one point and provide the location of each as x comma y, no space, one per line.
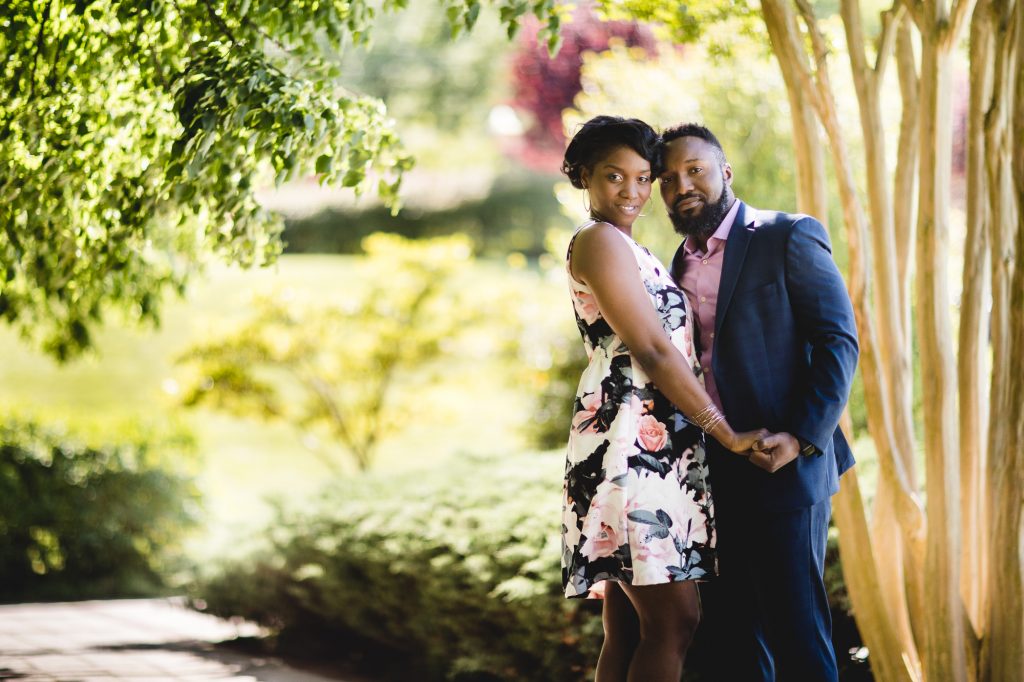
779,350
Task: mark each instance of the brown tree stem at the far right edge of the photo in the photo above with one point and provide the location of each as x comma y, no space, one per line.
1003,656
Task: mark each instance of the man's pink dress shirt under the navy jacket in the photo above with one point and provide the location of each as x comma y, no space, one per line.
702,275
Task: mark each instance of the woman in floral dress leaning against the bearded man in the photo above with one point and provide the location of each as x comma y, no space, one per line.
638,520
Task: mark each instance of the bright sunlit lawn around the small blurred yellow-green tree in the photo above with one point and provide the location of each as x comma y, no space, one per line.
134,377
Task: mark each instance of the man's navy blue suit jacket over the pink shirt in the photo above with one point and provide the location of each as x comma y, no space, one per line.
786,352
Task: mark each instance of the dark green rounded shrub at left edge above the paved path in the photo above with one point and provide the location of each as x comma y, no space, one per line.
81,522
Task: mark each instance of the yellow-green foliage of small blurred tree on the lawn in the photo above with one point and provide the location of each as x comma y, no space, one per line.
340,369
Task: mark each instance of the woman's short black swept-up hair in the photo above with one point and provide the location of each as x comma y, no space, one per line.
603,135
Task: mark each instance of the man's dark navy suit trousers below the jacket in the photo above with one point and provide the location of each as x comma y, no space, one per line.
766,617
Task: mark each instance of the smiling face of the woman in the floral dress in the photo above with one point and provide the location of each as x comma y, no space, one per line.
619,187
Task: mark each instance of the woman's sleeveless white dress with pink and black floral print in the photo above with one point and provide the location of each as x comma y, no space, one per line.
636,504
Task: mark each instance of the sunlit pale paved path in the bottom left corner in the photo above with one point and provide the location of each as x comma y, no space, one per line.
144,641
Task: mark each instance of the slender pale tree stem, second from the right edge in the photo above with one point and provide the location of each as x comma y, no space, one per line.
972,356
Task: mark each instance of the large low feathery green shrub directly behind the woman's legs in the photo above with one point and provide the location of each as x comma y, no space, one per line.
454,572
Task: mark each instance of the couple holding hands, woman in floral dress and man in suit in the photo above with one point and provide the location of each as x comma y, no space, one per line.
705,445
